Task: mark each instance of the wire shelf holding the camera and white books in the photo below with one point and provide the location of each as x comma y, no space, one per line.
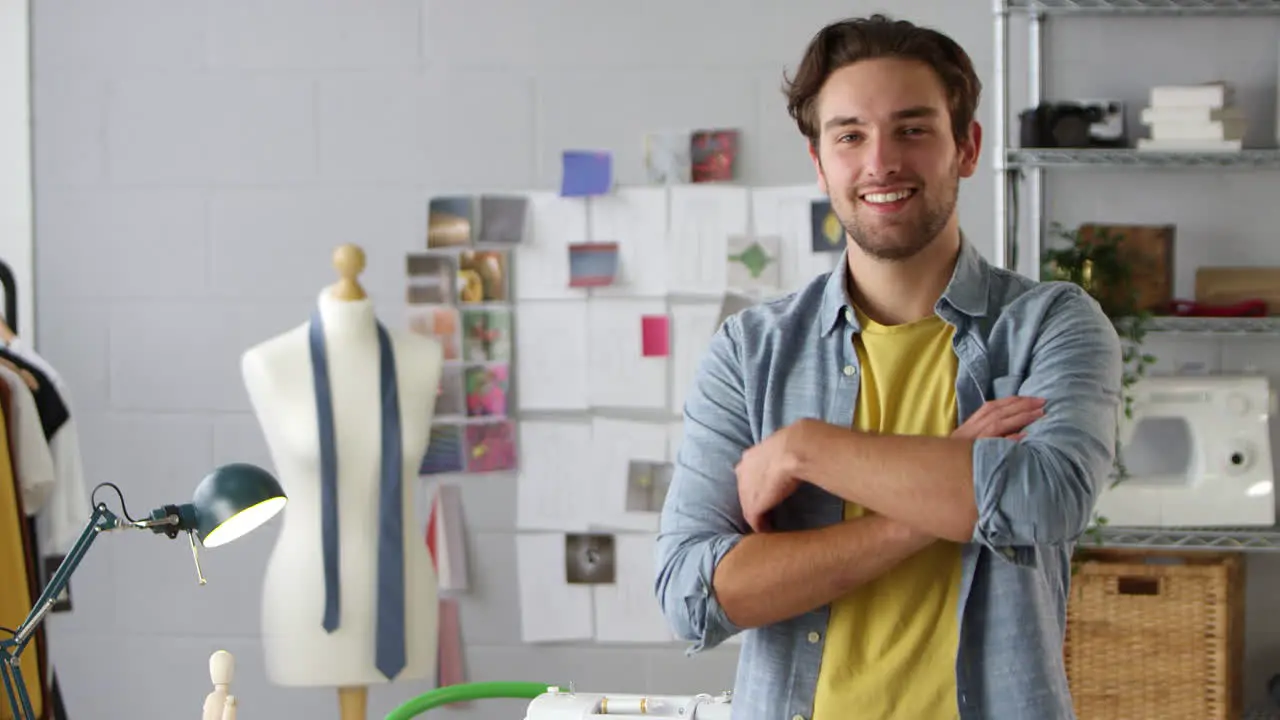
1131,158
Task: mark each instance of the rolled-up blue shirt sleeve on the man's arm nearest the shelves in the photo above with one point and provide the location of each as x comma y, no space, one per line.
1043,490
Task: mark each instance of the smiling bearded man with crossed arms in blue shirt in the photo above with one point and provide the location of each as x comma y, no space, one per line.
883,476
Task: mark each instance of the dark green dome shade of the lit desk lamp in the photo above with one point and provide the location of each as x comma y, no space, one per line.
235,500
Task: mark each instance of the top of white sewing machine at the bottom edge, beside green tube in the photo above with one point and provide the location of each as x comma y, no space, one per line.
568,705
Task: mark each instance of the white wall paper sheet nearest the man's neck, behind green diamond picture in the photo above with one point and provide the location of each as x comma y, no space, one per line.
785,212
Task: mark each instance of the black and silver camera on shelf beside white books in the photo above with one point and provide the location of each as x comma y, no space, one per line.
1082,124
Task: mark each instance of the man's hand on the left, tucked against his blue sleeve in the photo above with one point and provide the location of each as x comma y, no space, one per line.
766,475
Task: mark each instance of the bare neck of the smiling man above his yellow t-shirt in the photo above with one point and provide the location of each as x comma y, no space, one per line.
894,293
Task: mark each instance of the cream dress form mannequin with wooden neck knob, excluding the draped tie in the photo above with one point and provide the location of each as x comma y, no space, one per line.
280,379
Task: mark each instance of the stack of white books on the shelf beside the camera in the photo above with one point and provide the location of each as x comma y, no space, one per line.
1194,119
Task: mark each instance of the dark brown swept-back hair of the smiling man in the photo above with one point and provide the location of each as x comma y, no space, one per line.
877,37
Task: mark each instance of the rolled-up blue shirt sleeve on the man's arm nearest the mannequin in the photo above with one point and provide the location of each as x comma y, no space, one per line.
702,518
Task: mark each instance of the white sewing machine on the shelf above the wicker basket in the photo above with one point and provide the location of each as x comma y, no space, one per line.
1197,453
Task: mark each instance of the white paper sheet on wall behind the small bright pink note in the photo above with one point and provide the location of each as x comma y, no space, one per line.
620,376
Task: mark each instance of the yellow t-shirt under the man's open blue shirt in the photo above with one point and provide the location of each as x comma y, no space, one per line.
892,645
